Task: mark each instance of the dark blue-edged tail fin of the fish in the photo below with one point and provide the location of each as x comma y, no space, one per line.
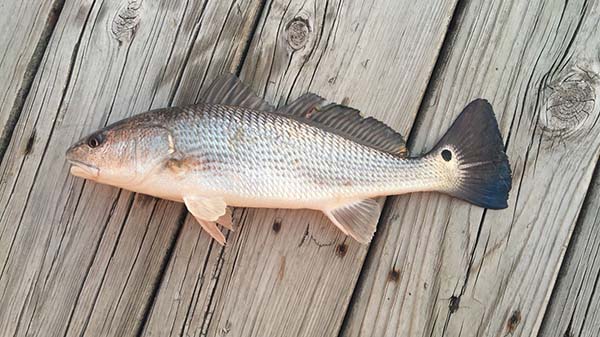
484,176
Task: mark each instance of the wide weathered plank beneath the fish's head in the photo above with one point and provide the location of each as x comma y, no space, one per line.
77,258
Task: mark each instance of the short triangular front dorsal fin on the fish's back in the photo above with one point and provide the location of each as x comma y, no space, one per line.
227,89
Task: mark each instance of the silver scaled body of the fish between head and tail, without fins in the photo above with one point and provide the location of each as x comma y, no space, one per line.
261,159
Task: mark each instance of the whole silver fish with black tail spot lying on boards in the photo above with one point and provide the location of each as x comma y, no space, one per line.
233,149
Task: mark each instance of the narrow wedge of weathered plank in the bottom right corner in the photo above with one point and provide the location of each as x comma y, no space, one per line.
574,309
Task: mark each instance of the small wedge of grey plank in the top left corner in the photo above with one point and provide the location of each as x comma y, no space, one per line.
24,33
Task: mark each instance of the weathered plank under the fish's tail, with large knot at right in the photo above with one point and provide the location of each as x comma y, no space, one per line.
440,267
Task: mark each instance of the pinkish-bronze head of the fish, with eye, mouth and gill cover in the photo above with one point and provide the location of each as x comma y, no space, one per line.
122,154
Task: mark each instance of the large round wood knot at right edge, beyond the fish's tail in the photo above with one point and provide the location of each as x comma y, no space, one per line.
570,106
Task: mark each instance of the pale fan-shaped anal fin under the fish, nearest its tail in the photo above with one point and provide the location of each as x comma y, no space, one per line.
357,219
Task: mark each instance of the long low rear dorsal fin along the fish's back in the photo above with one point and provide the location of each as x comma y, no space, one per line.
347,122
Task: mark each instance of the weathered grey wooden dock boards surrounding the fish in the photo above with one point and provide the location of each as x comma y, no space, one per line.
82,259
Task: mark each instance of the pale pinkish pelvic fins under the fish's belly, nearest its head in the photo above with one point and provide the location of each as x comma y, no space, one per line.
208,210
